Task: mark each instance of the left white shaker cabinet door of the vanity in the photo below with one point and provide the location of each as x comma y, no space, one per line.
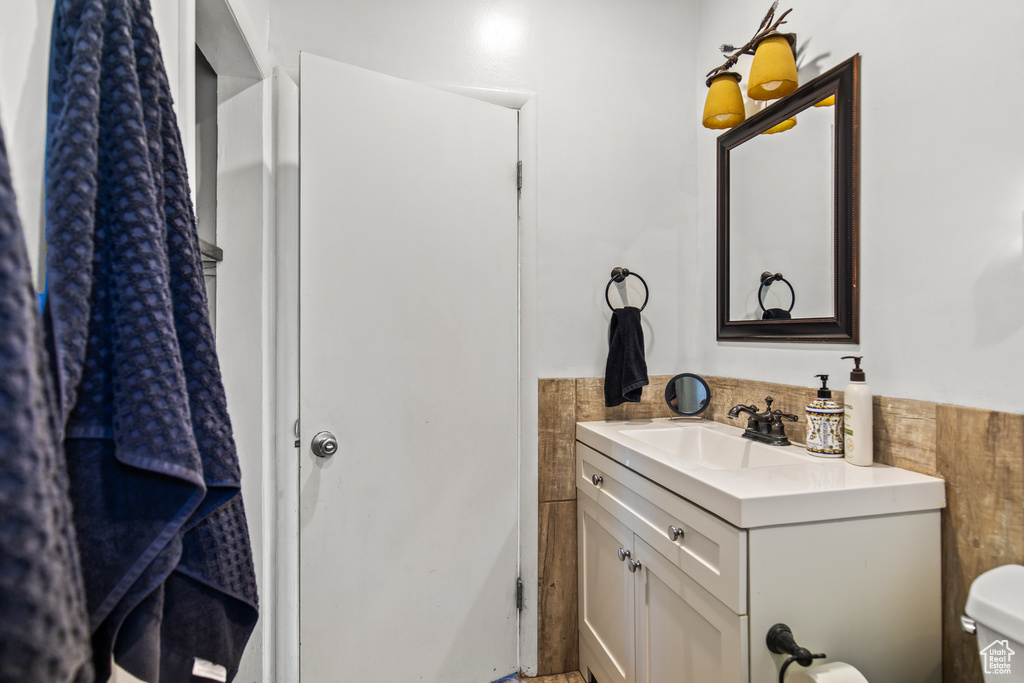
607,611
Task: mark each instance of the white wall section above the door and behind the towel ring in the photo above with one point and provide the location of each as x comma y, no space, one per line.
616,156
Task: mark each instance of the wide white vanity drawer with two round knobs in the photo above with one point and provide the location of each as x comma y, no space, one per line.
710,550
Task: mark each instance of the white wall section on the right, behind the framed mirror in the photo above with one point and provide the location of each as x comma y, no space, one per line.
942,201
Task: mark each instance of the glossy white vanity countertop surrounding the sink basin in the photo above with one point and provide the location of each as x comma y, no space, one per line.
806,489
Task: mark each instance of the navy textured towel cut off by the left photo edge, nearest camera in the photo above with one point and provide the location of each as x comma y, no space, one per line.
44,632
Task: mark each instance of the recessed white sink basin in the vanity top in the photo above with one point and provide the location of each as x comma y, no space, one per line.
714,450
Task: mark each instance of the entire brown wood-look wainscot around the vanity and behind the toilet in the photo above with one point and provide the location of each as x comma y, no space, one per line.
979,453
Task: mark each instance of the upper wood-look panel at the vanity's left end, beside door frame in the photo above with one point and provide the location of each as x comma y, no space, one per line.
557,443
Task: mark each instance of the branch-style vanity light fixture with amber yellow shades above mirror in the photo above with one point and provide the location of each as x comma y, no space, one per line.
774,73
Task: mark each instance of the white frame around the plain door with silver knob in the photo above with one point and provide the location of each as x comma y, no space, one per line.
286,164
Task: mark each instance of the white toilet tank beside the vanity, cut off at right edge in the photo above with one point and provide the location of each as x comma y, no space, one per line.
995,612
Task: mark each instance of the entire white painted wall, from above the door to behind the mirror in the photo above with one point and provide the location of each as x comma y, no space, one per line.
624,165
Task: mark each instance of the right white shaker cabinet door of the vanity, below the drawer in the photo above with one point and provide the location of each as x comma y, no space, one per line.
684,633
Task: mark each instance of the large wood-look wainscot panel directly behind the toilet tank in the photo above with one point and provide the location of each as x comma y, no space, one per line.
980,455
